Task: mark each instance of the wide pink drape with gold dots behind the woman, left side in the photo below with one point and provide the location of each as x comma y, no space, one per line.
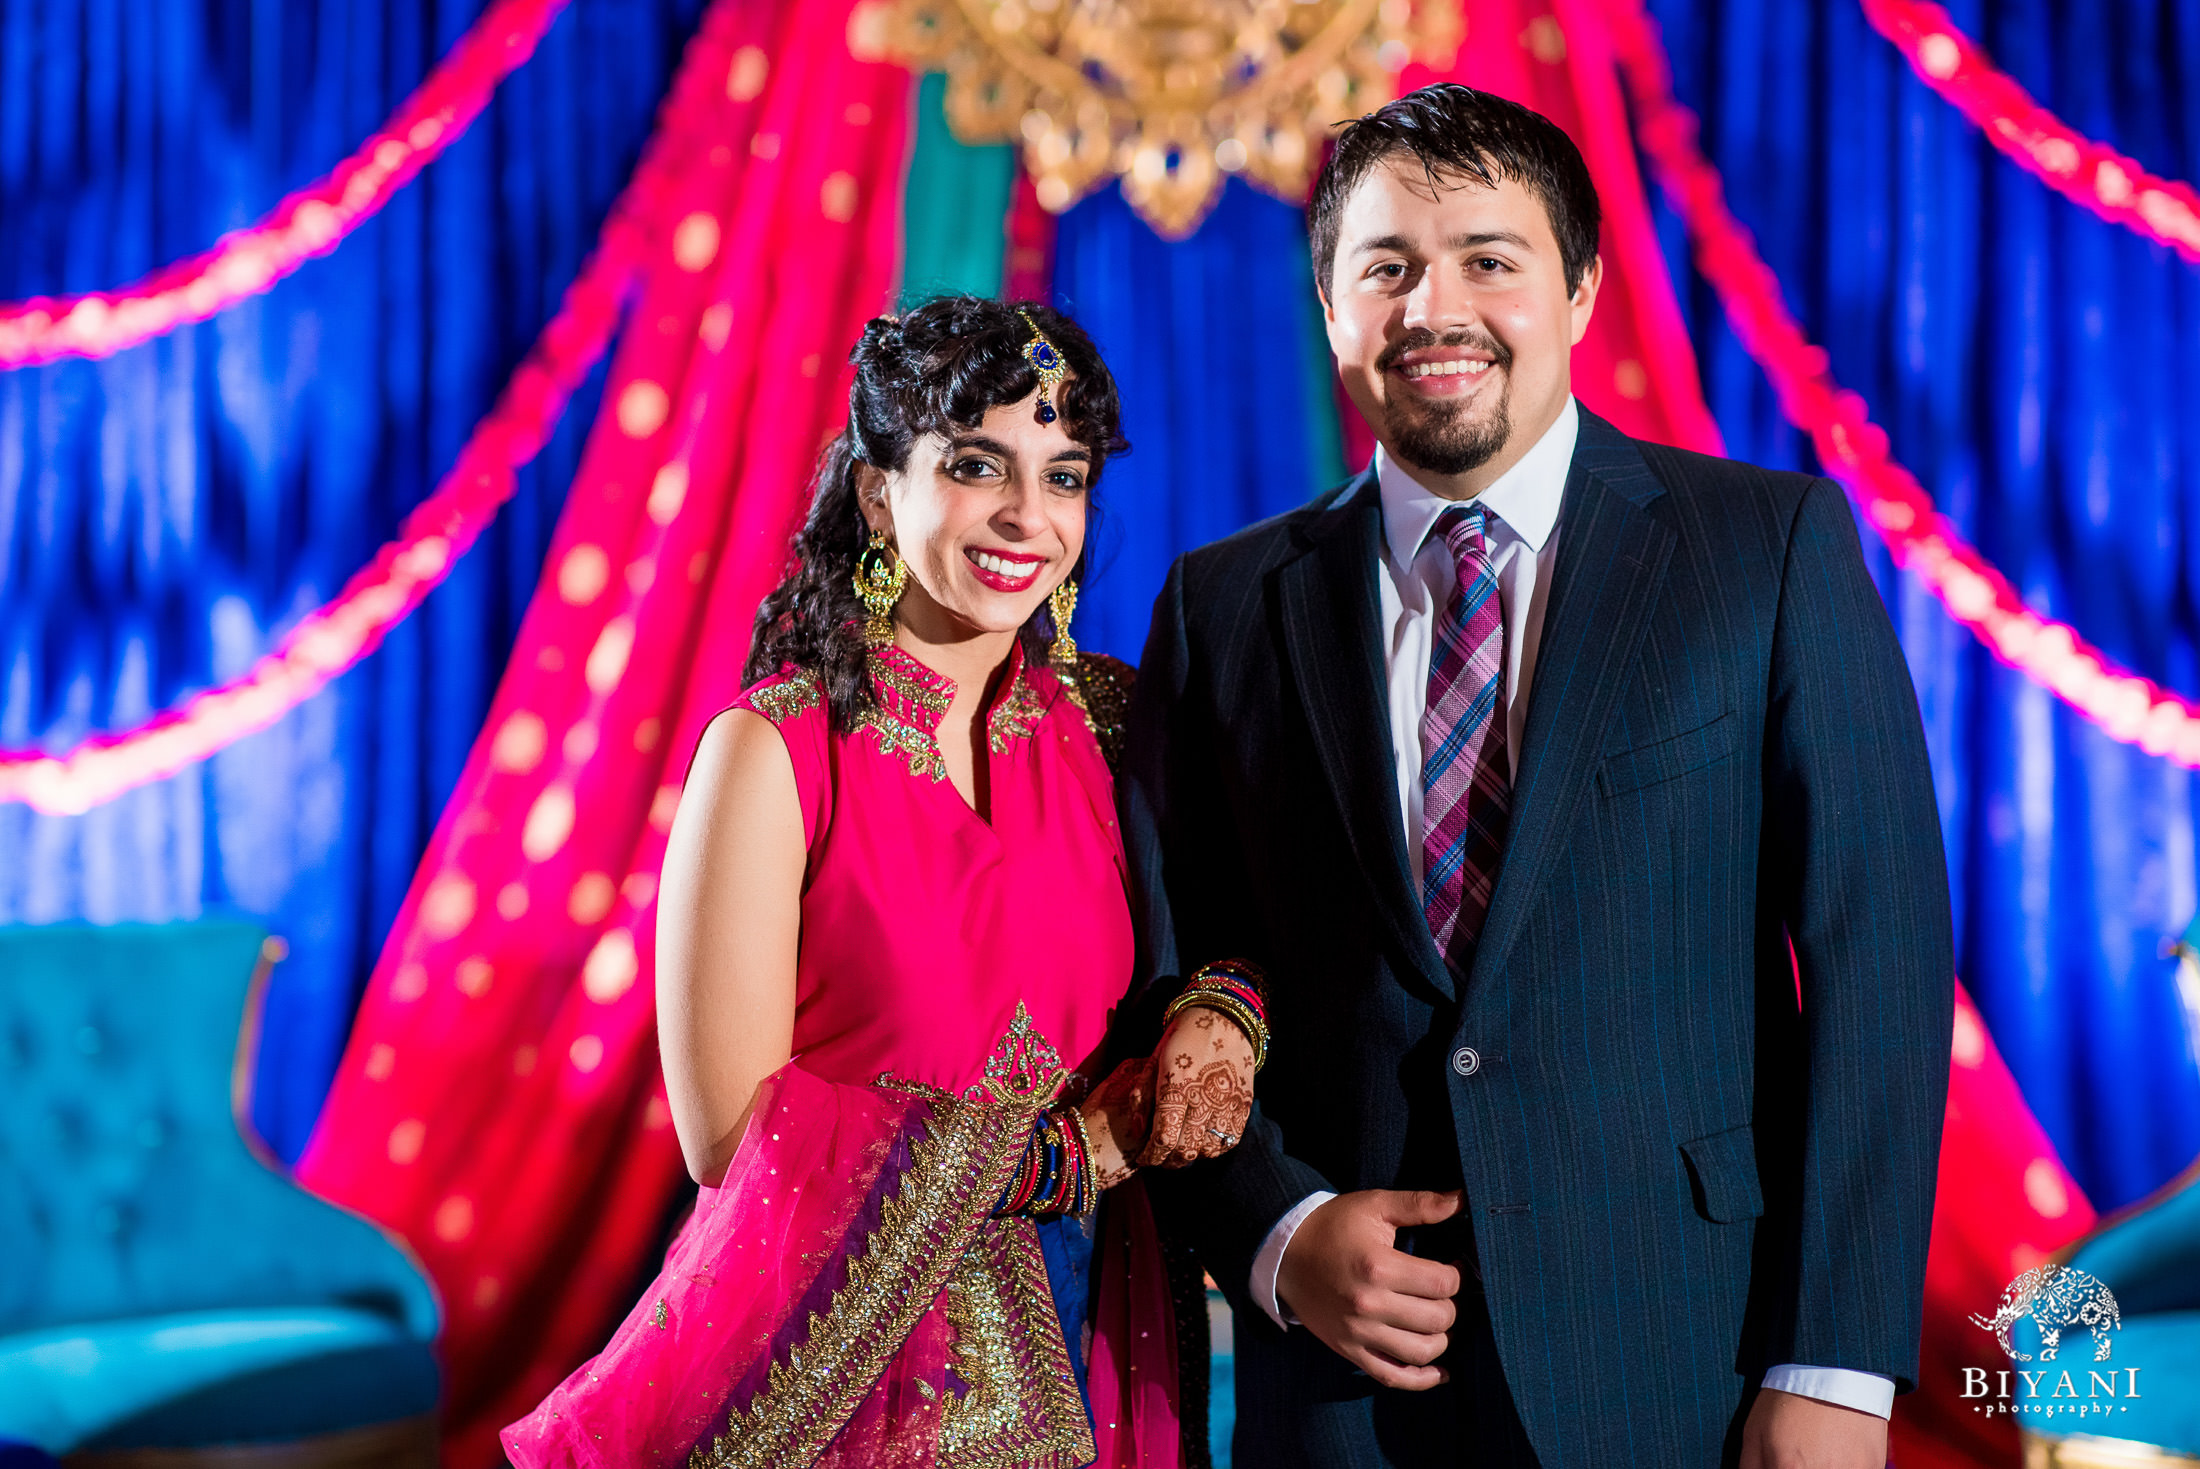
500,1103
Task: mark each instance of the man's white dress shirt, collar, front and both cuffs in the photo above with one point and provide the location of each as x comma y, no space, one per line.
1416,582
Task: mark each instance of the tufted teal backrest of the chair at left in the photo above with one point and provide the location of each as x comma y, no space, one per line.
126,1180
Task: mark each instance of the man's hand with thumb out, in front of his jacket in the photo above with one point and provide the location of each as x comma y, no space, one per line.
1374,1305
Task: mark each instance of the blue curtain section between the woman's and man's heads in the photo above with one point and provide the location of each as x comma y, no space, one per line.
1224,373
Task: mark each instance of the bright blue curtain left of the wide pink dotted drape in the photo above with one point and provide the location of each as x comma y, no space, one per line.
166,513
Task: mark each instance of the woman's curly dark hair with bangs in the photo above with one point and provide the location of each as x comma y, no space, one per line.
932,371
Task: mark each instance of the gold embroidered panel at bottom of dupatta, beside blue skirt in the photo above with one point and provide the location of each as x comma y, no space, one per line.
1022,1406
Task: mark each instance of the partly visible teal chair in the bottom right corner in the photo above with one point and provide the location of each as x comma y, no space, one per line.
2150,1259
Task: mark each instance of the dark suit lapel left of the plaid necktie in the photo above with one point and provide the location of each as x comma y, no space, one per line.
1332,626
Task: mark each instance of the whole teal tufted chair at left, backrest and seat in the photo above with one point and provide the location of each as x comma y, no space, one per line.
164,1288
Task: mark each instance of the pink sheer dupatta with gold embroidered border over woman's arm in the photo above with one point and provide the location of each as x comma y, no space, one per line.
846,1299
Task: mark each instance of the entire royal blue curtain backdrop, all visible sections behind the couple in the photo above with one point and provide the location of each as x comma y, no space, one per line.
170,511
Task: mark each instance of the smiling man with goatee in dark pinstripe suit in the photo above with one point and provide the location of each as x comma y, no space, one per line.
1543,771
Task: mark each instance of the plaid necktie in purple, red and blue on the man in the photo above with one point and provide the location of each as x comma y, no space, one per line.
1466,782
